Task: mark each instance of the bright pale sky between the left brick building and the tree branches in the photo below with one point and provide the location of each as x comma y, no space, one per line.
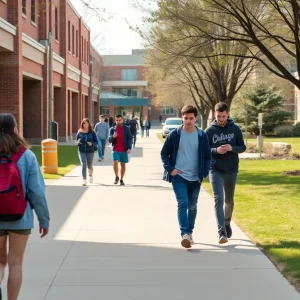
115,36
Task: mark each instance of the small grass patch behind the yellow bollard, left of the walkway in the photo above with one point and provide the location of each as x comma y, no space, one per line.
67,160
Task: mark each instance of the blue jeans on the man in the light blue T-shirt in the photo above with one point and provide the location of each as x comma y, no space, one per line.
187,193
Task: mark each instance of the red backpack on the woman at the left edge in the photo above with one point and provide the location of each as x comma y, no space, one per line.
12,200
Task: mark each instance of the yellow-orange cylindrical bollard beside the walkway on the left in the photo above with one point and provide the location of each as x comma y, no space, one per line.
49,156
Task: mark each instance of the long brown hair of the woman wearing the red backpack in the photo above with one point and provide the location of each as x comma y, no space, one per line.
10,139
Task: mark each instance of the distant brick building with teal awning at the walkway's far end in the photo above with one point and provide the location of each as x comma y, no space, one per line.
124,88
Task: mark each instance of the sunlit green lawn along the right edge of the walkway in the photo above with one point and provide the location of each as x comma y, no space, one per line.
267,209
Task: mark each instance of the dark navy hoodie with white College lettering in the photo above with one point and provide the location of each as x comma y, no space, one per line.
229,134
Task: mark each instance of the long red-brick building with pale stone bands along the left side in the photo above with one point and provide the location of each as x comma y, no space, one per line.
24,66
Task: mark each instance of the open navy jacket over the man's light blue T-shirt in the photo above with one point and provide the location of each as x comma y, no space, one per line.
170,150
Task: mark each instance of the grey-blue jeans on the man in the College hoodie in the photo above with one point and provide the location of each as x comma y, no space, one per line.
223,186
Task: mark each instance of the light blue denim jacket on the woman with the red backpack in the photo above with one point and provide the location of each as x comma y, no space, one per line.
34,186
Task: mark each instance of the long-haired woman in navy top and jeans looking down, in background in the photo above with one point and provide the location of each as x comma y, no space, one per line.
87,142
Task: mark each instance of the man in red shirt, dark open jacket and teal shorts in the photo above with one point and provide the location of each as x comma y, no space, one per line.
121,139
